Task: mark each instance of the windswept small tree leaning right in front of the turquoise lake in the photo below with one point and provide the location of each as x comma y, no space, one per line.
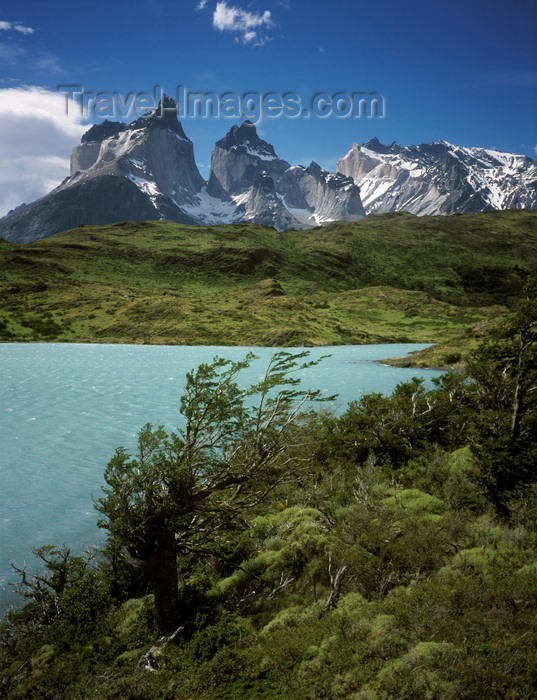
184,489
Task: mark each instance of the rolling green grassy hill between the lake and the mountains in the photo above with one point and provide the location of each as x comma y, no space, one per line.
387,278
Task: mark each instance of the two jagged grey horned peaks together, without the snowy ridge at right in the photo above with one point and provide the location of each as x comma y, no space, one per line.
146,170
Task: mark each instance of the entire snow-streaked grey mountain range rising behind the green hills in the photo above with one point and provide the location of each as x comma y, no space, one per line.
146,170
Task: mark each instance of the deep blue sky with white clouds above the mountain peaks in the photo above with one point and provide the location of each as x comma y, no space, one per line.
465,72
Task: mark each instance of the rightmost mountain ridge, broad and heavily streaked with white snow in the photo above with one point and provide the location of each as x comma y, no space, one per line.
439,178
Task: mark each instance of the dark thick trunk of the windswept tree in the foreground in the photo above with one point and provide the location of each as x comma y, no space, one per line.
163,572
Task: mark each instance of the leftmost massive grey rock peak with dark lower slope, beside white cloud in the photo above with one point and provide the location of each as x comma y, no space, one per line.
145,170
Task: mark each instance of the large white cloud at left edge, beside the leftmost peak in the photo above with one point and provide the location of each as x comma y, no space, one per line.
36,138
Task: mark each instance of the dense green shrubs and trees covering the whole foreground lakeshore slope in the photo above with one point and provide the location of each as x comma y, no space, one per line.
390,552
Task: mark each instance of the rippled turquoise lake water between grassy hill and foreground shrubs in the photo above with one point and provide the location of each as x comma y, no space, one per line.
64,408
